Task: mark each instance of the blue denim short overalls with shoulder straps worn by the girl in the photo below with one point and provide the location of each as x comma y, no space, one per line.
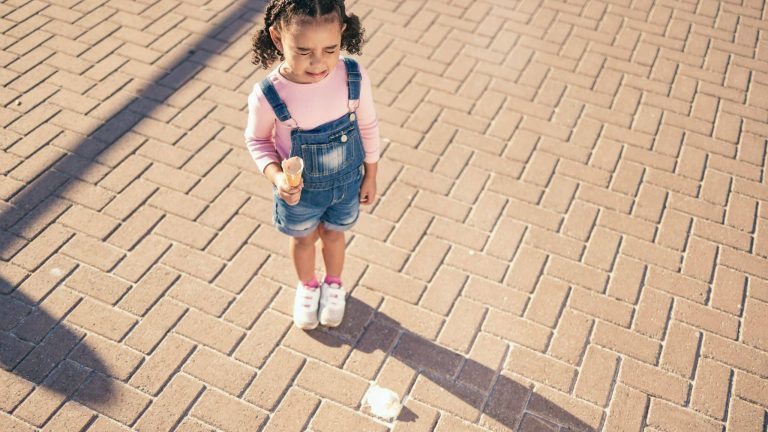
333,158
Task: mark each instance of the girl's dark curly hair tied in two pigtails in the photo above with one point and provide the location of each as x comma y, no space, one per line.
282,12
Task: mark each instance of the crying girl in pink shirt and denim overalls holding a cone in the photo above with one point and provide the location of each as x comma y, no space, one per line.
318,106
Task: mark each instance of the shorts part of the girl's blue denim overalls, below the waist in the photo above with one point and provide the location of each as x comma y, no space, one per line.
337,208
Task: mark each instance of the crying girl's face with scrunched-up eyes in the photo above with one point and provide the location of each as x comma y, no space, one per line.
310,46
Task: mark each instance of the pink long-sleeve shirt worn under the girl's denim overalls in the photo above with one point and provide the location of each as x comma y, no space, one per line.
269,140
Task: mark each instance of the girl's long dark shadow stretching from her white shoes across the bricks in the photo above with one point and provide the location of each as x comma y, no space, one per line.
367,330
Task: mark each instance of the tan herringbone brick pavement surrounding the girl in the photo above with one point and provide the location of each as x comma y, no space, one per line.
572,230
